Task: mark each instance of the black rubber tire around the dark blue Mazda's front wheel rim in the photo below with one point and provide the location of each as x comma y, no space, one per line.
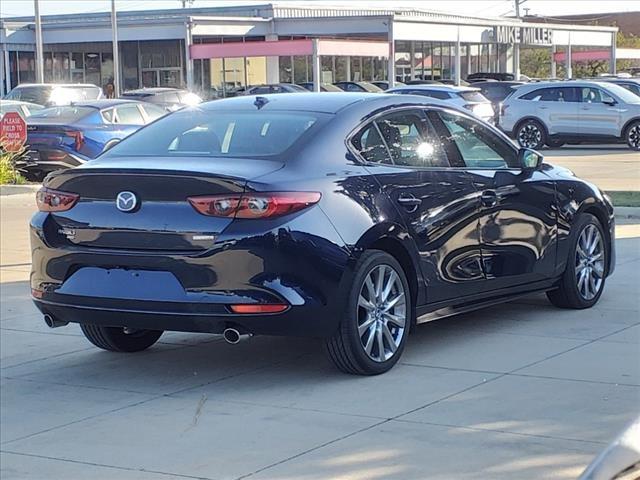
567,295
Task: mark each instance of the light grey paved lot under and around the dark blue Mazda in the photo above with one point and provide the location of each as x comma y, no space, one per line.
519,391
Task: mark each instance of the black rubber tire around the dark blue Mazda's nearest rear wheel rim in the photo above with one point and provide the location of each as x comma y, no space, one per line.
345,348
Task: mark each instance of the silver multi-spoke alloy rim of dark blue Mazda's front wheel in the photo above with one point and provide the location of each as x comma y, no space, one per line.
589,262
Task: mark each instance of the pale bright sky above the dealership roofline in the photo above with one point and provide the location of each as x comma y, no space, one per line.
11,8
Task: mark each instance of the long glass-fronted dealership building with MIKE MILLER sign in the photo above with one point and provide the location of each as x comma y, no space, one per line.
220,50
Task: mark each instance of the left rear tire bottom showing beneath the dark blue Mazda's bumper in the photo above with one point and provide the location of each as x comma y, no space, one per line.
114,339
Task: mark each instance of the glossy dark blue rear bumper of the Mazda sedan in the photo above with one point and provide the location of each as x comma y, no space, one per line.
304,266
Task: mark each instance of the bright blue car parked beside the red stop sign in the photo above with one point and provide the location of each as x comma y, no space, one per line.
67,136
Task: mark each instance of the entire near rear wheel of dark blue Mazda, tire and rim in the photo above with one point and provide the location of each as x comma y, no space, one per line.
375,325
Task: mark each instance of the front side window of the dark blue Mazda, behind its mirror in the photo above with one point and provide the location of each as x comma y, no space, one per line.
476,145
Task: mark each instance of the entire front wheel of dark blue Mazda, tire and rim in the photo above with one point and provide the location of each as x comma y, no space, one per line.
583,281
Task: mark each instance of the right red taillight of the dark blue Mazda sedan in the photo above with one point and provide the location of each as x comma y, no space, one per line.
254,205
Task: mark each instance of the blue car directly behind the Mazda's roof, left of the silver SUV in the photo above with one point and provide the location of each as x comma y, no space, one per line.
466,97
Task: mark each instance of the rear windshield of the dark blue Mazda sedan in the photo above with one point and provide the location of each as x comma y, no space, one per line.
196,132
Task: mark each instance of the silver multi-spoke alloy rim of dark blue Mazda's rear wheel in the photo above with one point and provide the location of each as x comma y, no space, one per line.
382,313
